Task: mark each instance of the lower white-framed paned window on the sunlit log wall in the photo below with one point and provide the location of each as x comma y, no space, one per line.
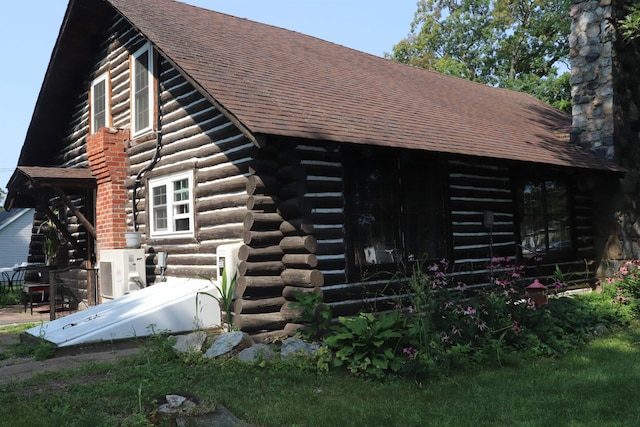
172,205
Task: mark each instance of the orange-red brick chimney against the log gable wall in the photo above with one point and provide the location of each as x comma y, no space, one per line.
107,154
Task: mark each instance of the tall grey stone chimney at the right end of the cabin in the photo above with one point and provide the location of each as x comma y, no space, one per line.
606,118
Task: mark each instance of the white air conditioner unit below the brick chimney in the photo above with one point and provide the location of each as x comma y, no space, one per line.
122,271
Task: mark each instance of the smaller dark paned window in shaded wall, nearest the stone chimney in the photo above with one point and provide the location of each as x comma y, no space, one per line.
545,225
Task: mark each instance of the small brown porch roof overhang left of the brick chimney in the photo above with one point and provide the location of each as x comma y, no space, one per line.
29,184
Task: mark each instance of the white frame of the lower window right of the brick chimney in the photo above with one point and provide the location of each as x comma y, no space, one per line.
172,207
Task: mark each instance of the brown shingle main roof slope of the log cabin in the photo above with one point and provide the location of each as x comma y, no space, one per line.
280,82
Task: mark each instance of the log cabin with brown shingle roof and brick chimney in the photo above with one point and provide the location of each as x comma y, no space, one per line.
331,169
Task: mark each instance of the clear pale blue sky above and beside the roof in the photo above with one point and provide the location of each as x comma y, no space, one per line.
30,28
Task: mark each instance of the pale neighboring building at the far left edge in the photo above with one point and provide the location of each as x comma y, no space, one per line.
15,236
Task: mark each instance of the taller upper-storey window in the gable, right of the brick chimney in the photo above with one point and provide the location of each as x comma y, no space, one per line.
142,90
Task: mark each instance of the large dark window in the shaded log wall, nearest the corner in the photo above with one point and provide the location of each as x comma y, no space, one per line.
394,210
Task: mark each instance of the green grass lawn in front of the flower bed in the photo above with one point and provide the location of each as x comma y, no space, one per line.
592,386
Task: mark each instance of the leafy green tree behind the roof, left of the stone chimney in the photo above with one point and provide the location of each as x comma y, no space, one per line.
515,44
